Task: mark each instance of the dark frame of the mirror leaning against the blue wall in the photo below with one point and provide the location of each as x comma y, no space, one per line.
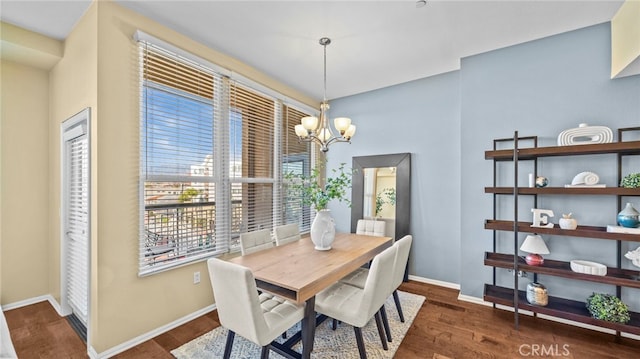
402,162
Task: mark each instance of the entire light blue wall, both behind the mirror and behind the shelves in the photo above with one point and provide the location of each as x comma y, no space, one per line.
537,88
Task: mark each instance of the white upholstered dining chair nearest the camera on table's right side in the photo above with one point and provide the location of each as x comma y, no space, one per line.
356,306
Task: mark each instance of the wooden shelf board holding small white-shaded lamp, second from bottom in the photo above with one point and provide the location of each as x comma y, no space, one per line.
615,276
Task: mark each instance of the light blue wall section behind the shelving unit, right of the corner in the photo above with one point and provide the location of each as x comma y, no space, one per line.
542,88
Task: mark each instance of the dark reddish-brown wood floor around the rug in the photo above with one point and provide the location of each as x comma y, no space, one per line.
444,328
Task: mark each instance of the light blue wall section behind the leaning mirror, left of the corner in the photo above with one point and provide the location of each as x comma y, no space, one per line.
421,117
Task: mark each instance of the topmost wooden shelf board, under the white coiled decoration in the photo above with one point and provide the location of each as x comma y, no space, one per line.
628,148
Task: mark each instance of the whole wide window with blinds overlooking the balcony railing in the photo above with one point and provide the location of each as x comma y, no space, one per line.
213,153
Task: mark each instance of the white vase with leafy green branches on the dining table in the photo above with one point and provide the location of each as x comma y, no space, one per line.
317,191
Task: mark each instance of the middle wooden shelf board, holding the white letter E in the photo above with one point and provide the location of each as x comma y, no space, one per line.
581,231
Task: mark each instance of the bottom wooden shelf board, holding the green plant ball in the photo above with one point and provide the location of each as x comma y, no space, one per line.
559,307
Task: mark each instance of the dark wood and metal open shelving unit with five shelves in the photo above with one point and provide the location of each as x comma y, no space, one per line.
616,276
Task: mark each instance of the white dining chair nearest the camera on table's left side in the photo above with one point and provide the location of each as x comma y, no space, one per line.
240,311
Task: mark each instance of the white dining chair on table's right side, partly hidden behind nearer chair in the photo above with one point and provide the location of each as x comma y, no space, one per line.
358,277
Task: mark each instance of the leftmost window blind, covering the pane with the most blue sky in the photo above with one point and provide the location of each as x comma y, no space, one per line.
180,104
